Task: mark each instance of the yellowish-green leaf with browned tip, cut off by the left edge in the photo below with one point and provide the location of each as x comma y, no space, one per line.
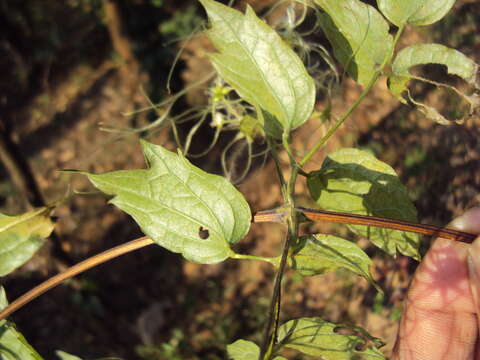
21,236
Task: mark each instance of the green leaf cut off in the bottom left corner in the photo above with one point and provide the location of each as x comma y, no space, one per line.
13,346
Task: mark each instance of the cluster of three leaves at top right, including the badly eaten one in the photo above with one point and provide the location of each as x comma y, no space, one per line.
363,45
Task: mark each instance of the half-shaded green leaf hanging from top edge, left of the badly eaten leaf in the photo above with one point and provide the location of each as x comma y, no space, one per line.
358,34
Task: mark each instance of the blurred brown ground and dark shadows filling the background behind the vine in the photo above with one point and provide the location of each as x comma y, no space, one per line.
70,68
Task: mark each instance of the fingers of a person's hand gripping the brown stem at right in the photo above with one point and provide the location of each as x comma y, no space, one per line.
441,316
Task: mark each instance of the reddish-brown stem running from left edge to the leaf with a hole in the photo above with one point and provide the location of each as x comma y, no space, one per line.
75,270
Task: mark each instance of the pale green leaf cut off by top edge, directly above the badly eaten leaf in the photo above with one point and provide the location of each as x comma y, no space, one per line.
414,12
